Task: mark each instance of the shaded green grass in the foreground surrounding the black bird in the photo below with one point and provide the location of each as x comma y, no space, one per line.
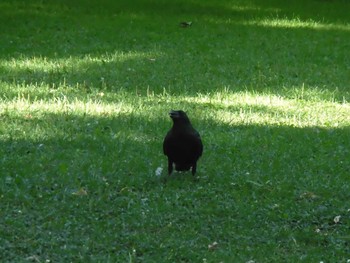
67,178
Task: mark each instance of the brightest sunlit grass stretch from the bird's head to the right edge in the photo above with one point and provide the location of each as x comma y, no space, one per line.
256,109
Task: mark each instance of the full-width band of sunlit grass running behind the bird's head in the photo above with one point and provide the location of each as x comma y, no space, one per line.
242,108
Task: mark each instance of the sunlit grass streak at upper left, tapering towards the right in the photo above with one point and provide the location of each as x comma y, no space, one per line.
62,71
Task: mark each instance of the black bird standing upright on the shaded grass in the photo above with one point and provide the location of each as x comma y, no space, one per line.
182,144
